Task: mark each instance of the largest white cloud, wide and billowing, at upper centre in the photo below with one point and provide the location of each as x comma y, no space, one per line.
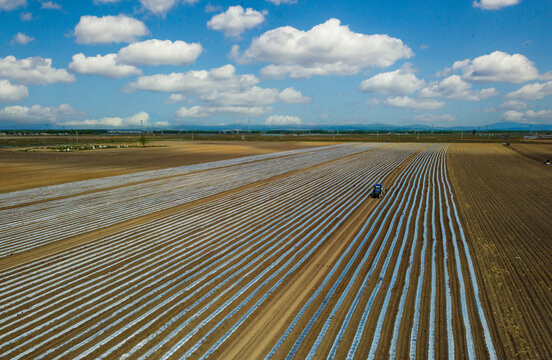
326,49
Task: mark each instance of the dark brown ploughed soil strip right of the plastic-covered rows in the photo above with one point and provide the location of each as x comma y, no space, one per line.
505,201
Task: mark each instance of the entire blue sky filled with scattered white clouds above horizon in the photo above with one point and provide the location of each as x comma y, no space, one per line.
178,63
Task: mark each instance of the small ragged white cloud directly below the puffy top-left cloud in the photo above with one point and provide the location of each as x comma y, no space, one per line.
106,66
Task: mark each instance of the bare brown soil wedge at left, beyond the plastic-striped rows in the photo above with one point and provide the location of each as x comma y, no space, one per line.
24,170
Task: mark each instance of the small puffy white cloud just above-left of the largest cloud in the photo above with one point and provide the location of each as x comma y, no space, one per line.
236,20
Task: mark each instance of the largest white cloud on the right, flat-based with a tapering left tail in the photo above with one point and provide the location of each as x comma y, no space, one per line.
495,67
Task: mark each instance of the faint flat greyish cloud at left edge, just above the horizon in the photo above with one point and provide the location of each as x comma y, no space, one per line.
36,114
